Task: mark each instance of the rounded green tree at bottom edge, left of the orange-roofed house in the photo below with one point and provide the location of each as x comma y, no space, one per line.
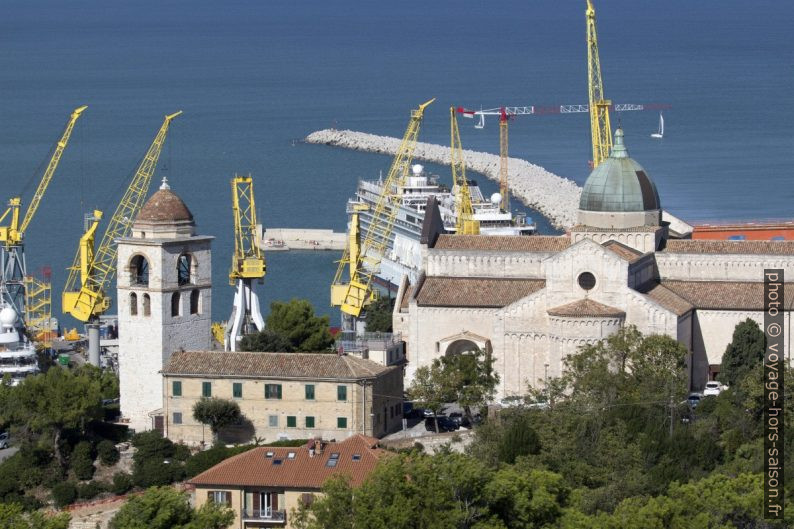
166,508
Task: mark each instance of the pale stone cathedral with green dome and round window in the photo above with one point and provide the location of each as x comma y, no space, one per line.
532,301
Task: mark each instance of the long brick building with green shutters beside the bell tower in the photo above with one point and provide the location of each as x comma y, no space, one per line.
282,395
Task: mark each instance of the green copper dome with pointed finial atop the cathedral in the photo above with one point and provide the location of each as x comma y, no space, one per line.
619,184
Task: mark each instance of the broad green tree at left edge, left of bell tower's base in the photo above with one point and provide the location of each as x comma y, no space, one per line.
51,402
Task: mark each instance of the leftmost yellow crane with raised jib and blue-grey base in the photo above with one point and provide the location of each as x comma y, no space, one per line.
12,234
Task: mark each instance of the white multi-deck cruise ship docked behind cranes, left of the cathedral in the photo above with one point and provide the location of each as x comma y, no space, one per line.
403,251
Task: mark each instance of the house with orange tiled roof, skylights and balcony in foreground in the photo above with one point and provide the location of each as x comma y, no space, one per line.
263,485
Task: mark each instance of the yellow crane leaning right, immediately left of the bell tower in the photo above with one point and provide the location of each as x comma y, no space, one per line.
85,295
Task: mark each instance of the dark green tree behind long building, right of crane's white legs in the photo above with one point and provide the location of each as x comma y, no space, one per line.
296,321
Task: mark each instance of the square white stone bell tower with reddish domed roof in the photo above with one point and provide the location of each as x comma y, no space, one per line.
164,296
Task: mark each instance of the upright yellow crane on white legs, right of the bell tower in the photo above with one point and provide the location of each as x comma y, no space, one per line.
248,264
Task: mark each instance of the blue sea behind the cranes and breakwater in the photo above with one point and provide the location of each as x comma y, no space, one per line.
252,76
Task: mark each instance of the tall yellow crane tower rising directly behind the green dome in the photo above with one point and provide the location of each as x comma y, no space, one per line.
600,129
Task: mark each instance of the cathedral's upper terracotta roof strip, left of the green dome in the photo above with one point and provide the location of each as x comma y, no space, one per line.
504,243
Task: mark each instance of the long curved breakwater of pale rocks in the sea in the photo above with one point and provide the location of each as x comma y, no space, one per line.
555,197
